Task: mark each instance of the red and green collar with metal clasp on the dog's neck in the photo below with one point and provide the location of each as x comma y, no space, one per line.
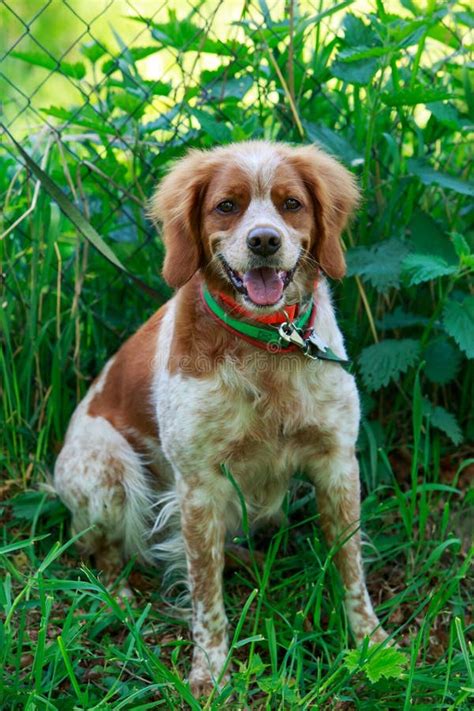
292,334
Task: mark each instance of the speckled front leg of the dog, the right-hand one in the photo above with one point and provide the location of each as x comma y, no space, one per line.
336,480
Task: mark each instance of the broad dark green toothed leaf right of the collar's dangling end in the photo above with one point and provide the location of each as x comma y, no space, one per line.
384,362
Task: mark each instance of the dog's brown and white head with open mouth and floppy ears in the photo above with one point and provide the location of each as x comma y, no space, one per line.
259,219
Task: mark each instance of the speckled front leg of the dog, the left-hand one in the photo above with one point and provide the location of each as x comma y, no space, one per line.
203,529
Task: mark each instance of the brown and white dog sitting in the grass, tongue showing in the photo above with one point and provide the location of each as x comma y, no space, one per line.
259,223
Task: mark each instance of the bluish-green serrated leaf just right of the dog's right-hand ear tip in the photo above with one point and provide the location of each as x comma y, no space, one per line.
380,265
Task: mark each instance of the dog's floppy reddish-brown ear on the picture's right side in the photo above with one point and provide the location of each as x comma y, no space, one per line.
335,195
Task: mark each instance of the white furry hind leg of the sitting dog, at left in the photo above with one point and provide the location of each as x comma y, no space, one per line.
102,481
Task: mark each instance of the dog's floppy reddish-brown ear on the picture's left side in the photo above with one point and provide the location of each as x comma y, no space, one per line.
176,204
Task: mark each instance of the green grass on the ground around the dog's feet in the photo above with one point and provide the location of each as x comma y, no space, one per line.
66,643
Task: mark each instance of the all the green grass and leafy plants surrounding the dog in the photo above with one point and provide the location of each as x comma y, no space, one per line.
390,95
